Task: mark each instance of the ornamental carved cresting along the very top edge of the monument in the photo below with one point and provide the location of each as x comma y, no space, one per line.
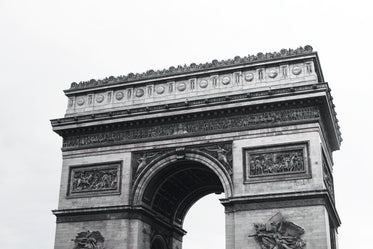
284,53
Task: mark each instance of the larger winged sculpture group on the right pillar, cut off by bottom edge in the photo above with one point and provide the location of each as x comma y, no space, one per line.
278,233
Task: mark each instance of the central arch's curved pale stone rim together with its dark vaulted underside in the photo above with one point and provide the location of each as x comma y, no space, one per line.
173,182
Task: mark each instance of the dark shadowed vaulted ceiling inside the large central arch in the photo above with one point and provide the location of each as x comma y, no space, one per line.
178,186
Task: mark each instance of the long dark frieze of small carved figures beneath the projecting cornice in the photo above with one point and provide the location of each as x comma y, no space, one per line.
194,127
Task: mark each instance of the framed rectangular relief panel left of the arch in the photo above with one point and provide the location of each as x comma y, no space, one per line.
94,179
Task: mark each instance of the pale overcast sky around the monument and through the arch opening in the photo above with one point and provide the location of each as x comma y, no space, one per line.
46,45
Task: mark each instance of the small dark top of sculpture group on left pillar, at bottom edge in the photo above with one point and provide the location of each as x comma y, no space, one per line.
89,240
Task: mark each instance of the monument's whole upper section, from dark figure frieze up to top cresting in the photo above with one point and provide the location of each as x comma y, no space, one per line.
245,92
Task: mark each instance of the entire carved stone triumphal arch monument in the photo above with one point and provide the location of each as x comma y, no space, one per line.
139,150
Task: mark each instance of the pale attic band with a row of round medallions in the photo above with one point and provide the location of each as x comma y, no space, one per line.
193,87
